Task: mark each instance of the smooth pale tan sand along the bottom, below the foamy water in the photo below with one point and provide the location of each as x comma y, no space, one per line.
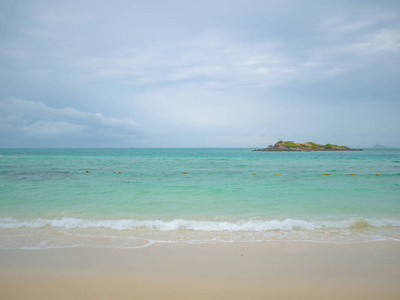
268,270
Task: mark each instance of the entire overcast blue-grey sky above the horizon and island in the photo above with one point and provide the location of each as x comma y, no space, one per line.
236,74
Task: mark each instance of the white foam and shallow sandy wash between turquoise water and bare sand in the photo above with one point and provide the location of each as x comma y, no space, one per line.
130,233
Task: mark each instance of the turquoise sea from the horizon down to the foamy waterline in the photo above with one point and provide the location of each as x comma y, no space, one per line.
137,197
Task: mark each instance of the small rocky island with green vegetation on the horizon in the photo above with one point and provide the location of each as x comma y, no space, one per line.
305,147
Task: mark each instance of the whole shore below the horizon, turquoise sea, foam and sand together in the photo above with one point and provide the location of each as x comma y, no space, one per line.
199,224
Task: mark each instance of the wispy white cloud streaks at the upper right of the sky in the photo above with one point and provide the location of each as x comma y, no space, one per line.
353,47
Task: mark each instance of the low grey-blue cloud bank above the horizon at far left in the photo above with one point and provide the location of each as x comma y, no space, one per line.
40,124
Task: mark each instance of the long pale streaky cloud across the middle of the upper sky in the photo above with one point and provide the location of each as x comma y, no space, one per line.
219,58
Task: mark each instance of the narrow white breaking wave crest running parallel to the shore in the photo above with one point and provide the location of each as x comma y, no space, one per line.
251,225
